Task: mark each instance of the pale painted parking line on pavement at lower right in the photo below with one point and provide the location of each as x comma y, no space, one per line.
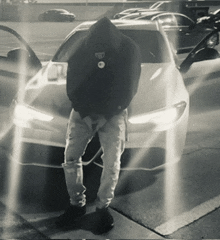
186,218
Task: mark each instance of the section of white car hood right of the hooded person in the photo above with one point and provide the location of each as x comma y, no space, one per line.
156,88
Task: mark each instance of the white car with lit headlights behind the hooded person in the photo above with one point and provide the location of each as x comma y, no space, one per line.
157,116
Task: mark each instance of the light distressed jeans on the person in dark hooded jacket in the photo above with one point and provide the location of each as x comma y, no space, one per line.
112,139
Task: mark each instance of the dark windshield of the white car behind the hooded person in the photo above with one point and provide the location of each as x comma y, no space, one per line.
152,45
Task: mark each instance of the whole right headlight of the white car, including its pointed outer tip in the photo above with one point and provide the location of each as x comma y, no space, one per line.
161,117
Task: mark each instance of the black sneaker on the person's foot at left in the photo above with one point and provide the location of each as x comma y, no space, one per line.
70,216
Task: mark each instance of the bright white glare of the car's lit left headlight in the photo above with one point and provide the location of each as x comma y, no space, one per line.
27,114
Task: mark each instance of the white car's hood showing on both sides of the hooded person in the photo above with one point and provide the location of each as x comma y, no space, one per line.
156,89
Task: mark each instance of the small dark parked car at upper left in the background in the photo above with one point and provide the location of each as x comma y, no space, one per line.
57,15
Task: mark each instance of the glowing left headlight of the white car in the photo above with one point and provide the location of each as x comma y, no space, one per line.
24,114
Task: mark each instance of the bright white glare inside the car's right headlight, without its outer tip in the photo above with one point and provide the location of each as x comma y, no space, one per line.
162,117
